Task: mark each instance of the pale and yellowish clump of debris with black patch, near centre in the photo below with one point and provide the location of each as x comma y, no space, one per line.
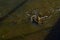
36,17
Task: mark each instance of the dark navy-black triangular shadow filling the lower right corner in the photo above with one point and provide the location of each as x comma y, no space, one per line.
55,32
